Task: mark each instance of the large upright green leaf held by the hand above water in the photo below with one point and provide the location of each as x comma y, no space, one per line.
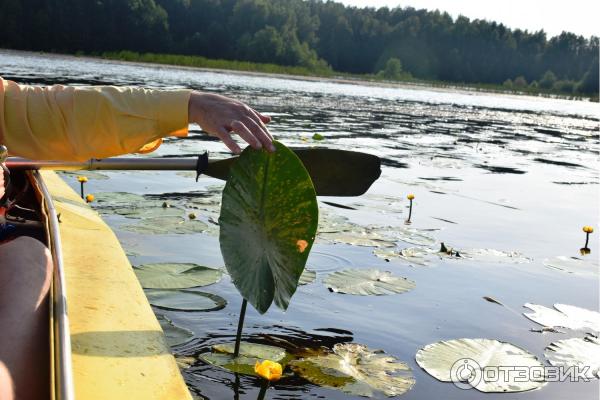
268,222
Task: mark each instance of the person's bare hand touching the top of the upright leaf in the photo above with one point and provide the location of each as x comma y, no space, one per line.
219,115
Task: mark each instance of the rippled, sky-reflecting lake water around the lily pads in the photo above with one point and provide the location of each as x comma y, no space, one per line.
488,171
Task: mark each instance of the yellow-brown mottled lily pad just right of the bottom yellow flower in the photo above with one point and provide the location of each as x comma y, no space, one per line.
357,370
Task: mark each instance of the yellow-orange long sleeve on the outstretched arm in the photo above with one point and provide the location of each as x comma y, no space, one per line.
77,123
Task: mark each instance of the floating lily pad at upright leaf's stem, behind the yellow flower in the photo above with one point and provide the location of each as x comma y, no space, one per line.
222,356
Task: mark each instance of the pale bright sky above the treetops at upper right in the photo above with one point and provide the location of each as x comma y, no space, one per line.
553,16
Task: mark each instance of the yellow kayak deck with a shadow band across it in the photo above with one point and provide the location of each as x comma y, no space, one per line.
118,347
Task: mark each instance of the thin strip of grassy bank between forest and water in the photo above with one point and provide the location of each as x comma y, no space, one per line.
257,69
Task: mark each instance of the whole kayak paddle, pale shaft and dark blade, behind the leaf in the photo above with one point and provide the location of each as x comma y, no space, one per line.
333,172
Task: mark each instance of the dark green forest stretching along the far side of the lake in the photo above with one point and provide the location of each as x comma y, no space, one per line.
398,43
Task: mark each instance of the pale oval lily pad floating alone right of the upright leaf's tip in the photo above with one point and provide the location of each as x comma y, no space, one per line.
366,282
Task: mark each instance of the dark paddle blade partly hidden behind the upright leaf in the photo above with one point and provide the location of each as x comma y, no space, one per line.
333,172
